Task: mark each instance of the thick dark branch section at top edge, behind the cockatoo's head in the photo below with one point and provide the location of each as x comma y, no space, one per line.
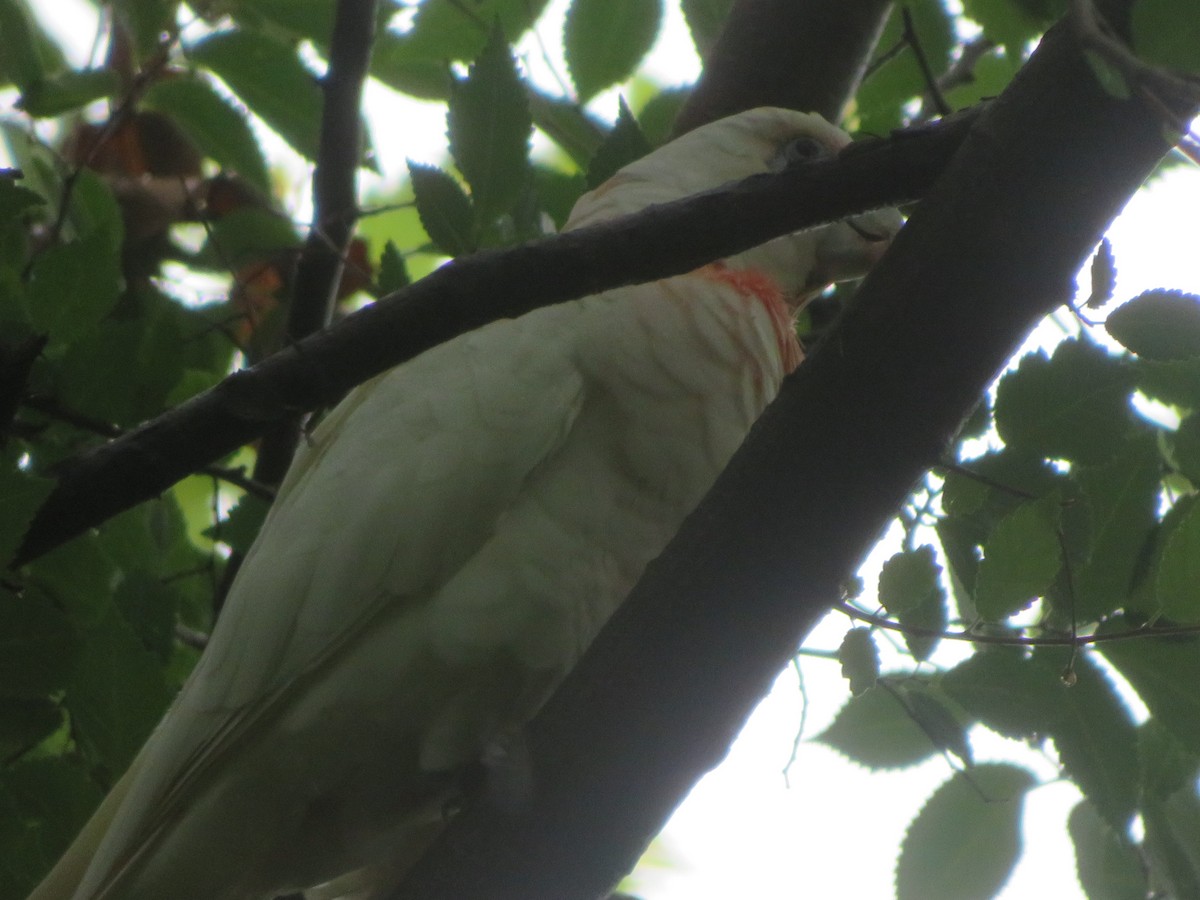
800,55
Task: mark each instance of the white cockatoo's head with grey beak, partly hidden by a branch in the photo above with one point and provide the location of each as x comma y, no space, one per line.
758,141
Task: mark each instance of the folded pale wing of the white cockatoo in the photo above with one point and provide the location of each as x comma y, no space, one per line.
398,488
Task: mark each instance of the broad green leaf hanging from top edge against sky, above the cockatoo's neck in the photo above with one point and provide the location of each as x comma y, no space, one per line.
605,40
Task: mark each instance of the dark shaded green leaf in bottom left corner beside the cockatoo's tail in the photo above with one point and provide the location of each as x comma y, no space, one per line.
44,805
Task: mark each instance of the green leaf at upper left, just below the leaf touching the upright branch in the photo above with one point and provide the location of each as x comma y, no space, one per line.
214,125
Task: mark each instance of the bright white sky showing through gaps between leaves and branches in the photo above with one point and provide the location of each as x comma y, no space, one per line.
836,832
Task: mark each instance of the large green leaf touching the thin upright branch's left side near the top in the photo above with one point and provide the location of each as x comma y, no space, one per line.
271,79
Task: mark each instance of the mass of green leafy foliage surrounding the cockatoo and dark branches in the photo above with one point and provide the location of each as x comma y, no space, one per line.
1078,520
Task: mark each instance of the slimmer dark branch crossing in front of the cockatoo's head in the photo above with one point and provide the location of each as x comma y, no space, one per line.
471,292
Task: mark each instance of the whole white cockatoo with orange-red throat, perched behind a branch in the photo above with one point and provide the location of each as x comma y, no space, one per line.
449,543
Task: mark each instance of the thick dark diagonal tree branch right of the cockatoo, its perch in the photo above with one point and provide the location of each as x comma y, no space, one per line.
664,691
